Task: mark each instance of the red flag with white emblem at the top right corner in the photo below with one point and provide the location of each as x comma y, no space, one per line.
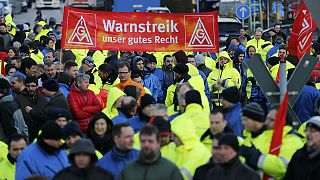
301,36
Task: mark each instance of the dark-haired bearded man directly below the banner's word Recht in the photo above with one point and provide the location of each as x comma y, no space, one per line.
169,74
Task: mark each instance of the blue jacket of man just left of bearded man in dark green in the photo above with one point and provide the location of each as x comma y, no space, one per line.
115,161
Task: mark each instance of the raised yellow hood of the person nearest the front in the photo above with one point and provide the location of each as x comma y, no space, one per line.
185,130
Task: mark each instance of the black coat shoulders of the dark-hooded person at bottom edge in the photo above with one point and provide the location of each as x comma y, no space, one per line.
89,173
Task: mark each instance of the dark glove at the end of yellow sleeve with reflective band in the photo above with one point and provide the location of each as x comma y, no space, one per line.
251,154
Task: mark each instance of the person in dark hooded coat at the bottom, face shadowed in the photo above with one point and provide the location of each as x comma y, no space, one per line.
83,158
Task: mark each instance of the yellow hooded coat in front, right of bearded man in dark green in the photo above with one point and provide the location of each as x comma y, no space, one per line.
191,153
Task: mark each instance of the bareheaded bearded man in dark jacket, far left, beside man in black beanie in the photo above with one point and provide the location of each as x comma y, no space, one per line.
30,97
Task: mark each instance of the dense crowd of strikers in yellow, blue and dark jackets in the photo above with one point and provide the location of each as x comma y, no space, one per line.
99,114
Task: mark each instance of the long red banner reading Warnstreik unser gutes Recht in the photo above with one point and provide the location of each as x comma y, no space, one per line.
139,31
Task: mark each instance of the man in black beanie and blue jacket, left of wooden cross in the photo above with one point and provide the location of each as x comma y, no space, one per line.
232,109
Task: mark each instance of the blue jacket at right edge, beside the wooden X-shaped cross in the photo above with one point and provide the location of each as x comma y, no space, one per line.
306,104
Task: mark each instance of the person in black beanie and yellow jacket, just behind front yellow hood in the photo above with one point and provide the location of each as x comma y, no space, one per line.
194,113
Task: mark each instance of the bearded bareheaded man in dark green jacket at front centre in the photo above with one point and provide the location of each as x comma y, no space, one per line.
150,164
